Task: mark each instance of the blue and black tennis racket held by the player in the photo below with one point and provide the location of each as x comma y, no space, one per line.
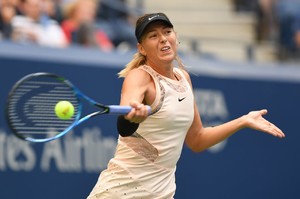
31,105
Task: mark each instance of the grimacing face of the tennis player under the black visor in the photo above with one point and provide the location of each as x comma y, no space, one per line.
159,44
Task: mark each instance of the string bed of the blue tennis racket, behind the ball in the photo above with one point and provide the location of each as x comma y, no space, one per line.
31,107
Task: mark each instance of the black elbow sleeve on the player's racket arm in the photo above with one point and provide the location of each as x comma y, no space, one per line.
125,127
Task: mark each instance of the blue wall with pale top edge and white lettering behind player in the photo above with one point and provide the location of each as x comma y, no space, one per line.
248,165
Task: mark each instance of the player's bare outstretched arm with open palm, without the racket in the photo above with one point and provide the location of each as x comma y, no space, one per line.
199,138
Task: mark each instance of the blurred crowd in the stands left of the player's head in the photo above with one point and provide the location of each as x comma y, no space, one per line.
103,24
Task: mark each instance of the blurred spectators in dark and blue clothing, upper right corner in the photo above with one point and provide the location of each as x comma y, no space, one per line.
277,21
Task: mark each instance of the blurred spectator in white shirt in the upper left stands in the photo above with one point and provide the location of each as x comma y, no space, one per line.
34,26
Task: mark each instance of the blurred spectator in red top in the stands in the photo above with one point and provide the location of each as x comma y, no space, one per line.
80,27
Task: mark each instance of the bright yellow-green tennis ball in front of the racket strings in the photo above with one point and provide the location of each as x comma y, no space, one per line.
64,110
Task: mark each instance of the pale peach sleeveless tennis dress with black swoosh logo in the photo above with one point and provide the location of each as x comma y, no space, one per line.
144,164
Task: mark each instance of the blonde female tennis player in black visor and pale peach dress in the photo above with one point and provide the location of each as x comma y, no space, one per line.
149,146
